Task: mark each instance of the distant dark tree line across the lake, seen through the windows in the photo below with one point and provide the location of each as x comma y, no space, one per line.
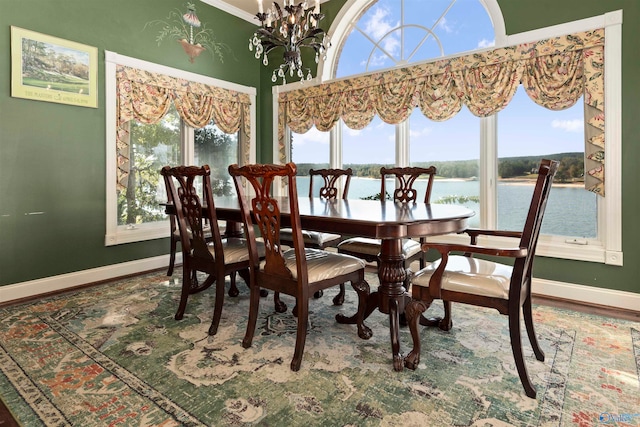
571,168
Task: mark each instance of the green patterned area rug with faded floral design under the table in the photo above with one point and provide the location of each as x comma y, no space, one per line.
113,355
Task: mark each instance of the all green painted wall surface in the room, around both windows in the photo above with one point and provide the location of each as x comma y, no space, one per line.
52,156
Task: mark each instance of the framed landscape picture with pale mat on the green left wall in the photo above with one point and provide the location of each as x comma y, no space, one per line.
46,68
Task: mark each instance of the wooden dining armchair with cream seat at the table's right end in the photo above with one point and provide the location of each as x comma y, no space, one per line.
480,282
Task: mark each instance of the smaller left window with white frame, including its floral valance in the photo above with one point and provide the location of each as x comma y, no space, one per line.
166,129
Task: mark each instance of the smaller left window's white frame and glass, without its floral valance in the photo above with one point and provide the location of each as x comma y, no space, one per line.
134,212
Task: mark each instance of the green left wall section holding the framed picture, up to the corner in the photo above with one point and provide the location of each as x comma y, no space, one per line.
52,156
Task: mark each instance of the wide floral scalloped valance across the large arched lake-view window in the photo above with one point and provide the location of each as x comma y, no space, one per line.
555,73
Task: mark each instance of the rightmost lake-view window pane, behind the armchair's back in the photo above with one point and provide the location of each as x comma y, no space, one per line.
518,152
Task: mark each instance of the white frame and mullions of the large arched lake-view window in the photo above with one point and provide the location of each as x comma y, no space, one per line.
607,247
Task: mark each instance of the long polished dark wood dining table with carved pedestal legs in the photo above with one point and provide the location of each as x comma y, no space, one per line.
386,220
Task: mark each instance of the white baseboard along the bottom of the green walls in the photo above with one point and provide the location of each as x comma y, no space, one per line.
568,291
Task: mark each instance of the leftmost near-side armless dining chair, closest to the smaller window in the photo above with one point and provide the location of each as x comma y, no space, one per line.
216,257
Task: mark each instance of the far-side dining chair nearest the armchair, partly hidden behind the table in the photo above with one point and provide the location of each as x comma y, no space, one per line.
404,192
